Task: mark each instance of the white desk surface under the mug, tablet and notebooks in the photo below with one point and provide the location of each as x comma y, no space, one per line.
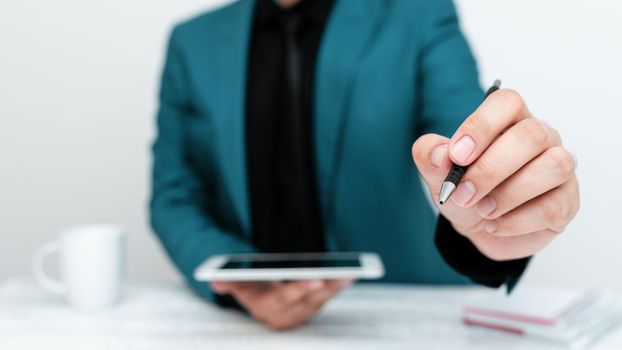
171,317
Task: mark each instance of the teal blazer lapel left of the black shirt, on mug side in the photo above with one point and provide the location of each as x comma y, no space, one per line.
232,51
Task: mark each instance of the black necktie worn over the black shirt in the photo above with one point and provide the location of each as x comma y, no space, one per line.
297,227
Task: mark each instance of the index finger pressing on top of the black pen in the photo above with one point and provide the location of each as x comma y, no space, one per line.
498,112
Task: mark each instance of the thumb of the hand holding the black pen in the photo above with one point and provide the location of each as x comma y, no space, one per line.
430,153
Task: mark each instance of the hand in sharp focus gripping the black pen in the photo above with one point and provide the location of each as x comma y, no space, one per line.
520,190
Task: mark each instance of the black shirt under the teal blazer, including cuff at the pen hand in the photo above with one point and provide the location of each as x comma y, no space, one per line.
268,145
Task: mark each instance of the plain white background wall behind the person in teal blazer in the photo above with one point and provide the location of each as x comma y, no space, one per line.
78,84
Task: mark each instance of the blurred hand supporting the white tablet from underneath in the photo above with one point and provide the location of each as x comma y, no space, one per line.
282,305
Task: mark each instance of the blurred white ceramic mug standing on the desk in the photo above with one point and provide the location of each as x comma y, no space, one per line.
92,262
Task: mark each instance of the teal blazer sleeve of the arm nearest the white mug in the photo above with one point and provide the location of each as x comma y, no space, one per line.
179,206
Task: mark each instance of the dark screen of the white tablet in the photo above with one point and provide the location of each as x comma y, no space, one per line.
284,264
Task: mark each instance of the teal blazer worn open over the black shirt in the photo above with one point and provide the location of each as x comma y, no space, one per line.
387,72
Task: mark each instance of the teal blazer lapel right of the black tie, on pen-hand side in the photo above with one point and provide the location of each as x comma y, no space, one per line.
349,33
